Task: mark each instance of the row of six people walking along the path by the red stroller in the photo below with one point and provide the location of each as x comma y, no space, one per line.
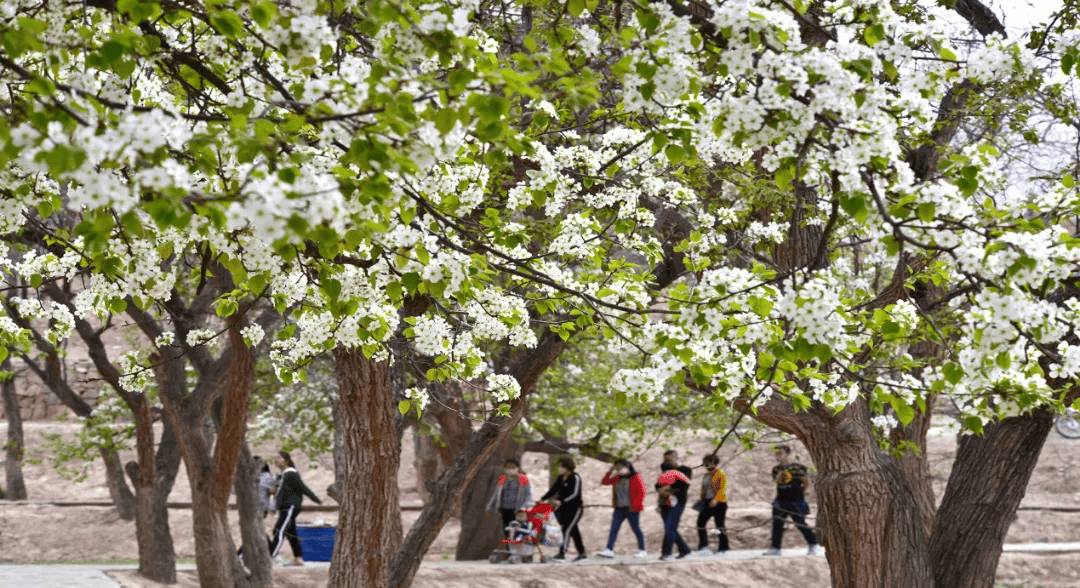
673,488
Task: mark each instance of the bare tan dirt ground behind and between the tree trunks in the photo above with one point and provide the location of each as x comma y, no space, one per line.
36,533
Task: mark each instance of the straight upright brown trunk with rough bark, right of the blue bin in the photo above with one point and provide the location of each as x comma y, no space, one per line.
370,529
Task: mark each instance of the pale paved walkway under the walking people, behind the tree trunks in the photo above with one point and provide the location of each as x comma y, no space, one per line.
94,577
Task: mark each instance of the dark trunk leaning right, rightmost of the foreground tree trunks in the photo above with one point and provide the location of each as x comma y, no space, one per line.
989,480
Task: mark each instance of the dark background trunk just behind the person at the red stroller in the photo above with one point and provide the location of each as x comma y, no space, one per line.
480,532
